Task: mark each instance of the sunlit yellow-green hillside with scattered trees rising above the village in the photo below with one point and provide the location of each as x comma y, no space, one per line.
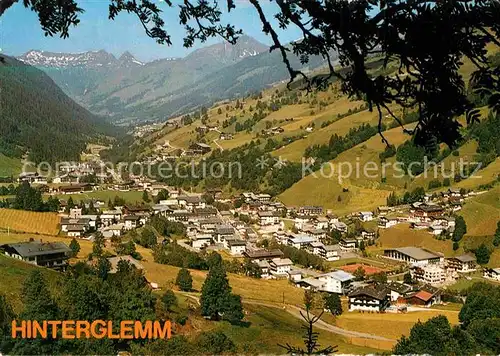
271,132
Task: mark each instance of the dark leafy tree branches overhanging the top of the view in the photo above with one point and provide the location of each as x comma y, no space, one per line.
395,30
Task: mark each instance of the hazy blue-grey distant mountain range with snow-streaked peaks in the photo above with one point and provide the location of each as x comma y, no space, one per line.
127,90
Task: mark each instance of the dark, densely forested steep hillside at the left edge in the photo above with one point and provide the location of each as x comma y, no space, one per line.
38,118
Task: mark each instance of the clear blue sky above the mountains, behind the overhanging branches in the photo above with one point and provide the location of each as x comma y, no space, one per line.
20,31
